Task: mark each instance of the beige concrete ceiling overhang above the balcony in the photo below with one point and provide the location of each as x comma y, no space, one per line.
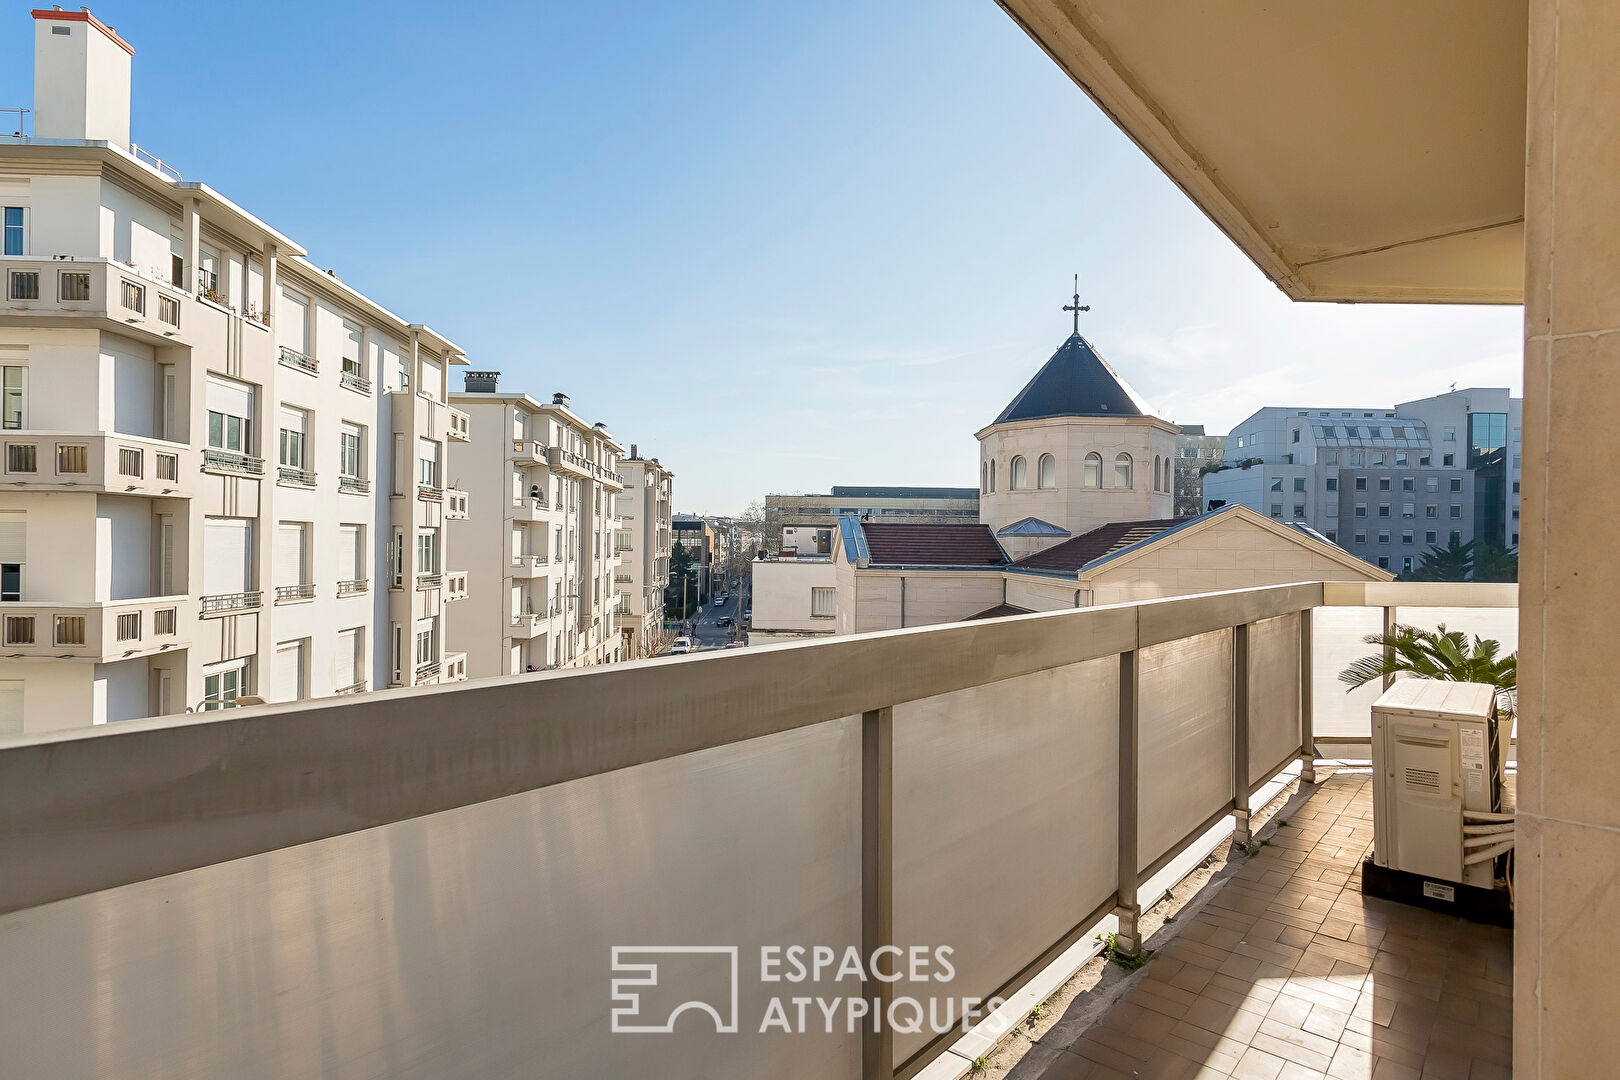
1355,151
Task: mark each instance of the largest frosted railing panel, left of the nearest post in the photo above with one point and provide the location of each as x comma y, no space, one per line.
475,942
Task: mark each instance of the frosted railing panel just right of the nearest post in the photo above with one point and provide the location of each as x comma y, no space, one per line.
1005,823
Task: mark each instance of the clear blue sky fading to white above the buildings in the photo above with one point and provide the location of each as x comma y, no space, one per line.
780,247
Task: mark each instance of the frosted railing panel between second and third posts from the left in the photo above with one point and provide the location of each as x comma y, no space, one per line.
1185,738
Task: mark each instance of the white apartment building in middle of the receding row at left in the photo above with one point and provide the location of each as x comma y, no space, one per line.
540,572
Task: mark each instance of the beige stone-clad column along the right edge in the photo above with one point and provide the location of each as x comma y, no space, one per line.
1567,938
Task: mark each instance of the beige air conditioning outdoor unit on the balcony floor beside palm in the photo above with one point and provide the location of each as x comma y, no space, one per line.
1438,767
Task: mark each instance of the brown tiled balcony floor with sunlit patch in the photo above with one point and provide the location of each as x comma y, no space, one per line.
1287,972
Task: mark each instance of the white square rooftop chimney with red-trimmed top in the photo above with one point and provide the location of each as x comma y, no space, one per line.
82,79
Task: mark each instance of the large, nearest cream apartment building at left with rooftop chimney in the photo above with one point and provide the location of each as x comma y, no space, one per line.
208,443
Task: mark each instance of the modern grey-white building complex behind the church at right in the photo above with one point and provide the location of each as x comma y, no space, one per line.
1384,483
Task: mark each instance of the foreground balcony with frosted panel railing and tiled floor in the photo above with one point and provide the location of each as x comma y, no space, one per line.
851,793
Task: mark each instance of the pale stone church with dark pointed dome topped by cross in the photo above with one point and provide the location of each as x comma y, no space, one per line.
1076,508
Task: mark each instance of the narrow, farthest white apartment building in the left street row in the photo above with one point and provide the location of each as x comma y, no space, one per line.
642,543
